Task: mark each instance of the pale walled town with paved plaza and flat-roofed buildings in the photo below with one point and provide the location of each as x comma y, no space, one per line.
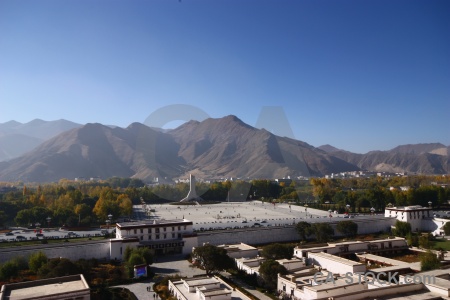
242,249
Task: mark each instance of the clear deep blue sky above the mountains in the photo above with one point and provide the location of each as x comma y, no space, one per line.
359,75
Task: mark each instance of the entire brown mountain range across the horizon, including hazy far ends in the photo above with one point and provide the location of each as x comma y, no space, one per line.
214,148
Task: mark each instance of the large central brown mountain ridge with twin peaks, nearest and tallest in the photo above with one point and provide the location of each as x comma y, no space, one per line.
225,147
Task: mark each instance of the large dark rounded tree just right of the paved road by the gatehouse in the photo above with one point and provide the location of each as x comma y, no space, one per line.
213,259
